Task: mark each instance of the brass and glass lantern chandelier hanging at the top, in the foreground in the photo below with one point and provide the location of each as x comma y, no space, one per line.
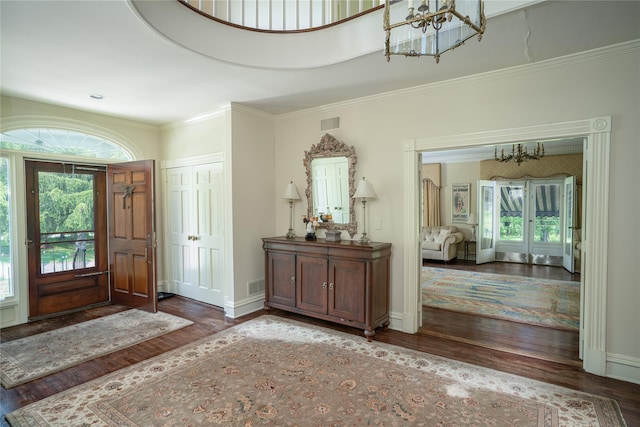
435,27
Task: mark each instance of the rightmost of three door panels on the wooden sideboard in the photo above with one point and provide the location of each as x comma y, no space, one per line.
347,290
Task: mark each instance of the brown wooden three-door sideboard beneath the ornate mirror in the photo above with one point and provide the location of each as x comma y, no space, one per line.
343,282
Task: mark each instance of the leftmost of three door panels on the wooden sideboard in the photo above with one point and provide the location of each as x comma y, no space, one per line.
282,279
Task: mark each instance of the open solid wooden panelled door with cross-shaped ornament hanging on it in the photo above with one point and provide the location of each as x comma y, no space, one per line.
132,234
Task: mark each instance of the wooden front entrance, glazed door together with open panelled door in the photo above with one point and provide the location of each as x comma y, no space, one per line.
74,216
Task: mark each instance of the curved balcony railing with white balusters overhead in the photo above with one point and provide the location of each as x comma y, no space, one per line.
282,15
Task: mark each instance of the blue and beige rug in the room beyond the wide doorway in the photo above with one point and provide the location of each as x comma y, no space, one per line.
542,302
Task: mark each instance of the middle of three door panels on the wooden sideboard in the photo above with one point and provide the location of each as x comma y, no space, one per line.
311,284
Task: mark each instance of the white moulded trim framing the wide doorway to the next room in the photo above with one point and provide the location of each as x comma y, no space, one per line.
596,189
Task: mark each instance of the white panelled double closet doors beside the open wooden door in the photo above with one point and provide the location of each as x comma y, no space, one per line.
196,239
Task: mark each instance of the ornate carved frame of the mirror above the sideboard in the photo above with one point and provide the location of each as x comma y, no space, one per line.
331,147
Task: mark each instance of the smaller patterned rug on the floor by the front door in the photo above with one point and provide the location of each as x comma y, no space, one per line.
37,356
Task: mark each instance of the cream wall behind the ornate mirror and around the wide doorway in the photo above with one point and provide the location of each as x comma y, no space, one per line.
576,88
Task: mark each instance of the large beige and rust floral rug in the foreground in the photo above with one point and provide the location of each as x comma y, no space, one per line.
279,372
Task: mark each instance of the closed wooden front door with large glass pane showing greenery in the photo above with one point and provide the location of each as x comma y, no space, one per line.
66,237
